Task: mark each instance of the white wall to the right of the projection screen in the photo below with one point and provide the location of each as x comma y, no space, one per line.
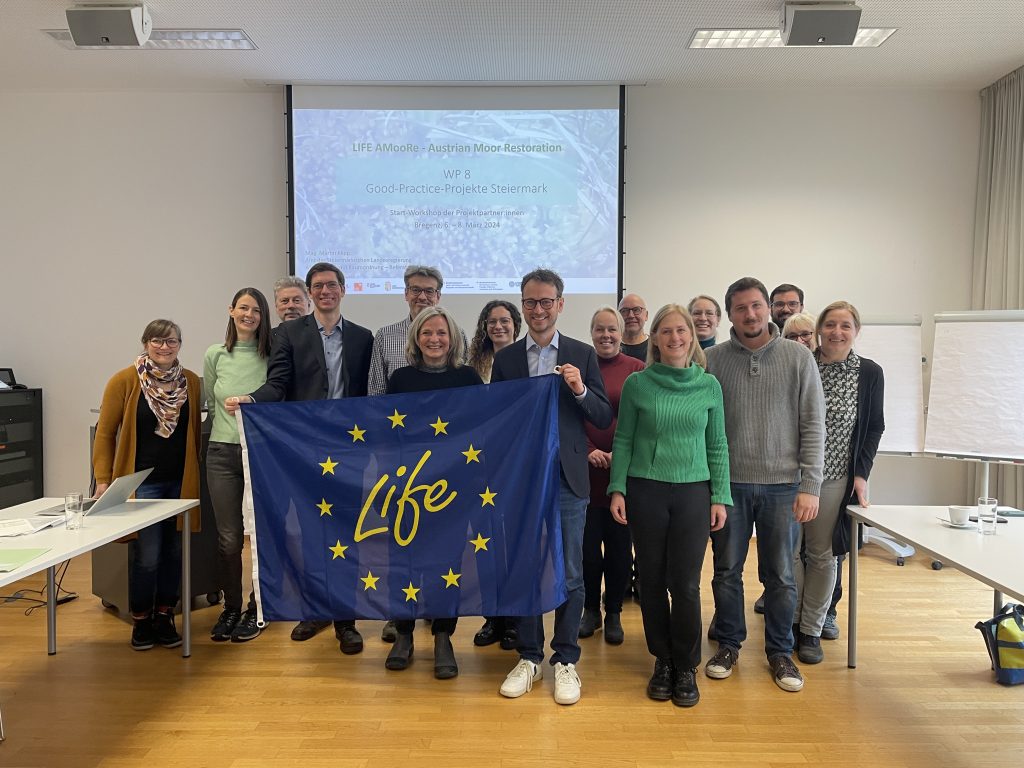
865,196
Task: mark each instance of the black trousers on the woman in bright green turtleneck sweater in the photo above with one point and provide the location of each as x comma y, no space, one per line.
671,527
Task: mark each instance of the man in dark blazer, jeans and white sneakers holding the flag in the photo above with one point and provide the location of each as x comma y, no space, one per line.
581,398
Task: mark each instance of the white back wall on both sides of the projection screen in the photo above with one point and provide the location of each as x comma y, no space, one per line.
117,208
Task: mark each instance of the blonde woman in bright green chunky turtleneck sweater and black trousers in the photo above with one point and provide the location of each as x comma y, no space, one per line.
671,460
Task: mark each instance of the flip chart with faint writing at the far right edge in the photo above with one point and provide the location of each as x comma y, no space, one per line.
976,407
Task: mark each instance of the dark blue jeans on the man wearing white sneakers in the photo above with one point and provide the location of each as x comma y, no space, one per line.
566,644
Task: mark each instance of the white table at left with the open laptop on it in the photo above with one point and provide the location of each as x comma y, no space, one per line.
96,532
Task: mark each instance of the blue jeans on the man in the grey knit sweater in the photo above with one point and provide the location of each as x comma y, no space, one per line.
772,508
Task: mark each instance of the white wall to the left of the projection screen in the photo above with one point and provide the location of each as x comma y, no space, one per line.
118,208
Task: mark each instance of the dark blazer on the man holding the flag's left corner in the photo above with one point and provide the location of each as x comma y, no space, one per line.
298,369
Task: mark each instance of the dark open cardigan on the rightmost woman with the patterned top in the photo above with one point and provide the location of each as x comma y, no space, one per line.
865,443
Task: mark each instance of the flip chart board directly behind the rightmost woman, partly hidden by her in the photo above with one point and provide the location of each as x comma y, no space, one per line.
897,347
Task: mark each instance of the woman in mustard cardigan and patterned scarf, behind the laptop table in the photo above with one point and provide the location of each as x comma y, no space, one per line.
150,417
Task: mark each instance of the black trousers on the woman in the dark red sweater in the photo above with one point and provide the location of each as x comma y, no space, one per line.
607,551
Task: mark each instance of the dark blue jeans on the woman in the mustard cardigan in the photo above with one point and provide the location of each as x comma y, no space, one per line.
155,559
